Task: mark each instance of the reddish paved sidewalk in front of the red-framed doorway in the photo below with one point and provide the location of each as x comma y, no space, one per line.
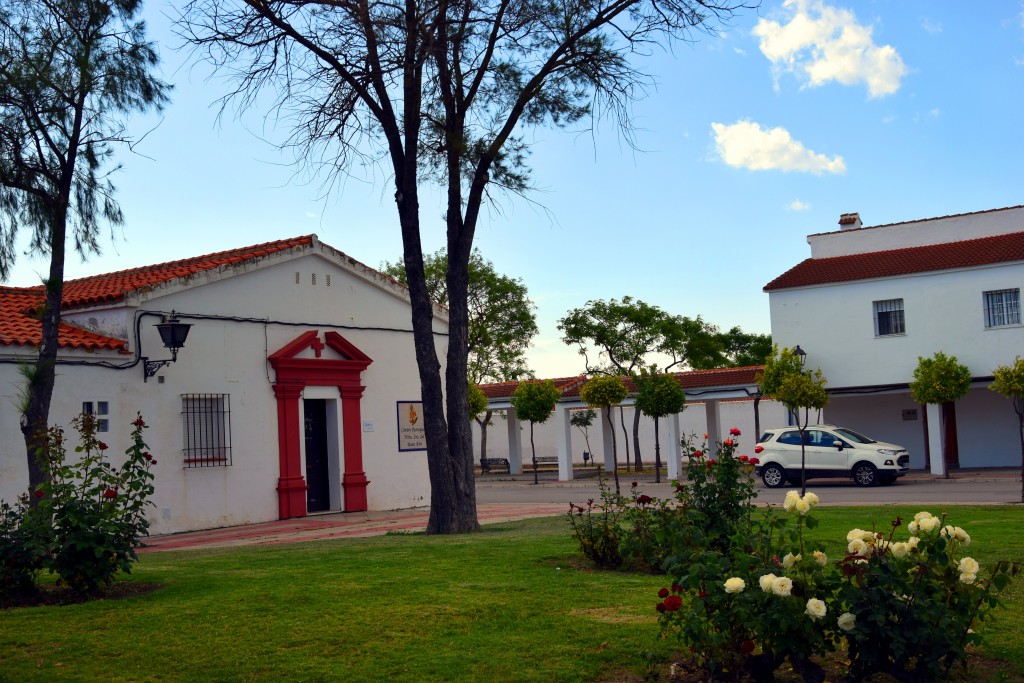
338,526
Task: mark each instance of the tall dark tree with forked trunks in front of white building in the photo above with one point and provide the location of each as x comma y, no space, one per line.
438,92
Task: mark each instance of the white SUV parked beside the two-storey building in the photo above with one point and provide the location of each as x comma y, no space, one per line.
831,452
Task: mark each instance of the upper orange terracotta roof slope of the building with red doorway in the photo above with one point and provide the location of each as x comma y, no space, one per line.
112,287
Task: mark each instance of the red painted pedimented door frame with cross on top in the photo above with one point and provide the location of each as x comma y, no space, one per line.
293,375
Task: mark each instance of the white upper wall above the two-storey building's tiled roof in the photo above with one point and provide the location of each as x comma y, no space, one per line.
918,233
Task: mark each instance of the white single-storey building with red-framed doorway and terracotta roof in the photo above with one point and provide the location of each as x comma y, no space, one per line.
296,392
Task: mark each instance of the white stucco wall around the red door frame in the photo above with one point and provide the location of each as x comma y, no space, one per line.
231,357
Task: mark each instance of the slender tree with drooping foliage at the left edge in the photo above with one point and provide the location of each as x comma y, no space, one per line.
71,71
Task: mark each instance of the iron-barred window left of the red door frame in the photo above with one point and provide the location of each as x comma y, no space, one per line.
207,422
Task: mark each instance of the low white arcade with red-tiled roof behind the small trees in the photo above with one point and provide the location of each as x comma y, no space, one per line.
717,401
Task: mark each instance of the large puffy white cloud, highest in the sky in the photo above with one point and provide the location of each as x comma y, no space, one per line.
827,45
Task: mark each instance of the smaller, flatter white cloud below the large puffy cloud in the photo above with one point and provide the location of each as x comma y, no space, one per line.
747,145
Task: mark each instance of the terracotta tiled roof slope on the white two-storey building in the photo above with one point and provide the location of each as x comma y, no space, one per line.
984,251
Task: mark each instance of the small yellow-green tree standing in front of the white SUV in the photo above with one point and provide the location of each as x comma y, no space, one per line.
785,380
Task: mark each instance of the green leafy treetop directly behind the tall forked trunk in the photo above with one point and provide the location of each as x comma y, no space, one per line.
502,318
